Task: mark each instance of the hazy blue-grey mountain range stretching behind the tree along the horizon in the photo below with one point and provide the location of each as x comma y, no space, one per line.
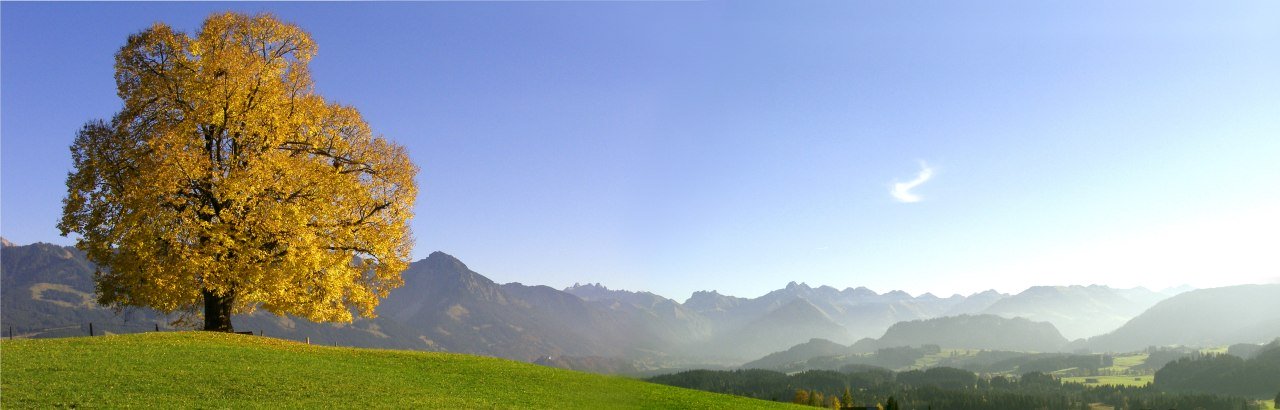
447,307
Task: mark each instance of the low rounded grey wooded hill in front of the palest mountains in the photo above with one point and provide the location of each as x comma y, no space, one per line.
989,332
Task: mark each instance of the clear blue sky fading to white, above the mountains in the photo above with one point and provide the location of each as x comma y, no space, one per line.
929,147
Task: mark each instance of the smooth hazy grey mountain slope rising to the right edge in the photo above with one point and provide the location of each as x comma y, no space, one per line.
1214,317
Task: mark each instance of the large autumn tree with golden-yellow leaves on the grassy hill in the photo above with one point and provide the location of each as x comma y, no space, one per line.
227,184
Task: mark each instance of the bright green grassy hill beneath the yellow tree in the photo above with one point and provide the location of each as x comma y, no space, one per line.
188,370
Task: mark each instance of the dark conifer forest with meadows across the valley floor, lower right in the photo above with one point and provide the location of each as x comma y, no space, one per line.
1194,382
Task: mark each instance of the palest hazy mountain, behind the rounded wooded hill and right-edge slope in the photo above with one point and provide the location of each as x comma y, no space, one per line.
1077,311
